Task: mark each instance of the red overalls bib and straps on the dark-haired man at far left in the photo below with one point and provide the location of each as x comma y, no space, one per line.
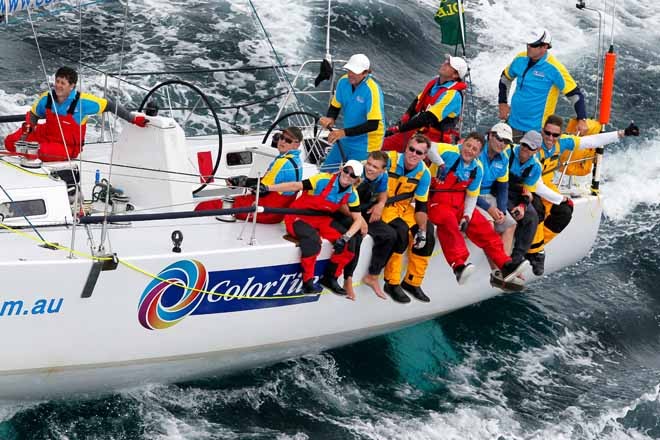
72,134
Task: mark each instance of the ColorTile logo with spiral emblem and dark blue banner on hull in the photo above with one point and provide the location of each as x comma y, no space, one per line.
186,288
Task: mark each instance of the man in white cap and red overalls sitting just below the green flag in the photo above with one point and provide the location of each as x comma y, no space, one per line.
435,110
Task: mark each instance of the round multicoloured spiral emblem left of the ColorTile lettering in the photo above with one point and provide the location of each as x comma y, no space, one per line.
174,295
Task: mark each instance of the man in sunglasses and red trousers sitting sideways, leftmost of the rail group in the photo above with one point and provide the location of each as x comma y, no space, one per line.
286,167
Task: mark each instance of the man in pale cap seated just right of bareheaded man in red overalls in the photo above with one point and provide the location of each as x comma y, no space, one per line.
494,191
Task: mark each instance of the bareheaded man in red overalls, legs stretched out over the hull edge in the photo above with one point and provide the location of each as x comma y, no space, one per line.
454,191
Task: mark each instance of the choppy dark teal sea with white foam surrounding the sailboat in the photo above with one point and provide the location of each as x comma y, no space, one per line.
574,357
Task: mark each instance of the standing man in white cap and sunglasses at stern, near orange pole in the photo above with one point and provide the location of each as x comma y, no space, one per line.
540,77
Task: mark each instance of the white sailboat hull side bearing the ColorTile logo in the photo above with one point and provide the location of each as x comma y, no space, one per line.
57,343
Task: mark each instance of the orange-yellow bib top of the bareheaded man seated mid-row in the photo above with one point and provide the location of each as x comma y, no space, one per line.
400,191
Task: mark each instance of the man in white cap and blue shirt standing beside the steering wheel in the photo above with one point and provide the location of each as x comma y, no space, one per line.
361,99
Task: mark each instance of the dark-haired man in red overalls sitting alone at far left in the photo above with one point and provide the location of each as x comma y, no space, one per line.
66,111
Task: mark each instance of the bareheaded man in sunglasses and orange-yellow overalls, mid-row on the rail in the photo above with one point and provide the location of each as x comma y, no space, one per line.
406,212
